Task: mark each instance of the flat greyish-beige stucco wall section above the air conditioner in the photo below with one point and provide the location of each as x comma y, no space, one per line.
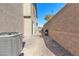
11,17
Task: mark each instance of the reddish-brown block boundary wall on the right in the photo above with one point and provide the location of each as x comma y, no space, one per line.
65,28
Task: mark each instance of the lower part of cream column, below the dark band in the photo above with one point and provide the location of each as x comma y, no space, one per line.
27,27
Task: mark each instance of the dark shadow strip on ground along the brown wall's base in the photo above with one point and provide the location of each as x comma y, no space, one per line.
55,48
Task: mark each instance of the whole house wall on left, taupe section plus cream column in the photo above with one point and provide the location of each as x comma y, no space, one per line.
17,17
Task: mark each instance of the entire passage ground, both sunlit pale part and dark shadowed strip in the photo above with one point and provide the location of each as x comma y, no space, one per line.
42,46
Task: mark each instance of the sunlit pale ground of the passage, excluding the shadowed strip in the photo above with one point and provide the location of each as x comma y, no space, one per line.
36,47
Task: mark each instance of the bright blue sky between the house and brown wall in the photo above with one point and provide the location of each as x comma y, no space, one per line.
44,9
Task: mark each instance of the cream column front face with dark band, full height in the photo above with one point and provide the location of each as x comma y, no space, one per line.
27,12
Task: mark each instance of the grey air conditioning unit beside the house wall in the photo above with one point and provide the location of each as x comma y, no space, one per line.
10,43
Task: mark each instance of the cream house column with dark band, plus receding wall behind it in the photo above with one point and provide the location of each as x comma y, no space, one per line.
29,13
